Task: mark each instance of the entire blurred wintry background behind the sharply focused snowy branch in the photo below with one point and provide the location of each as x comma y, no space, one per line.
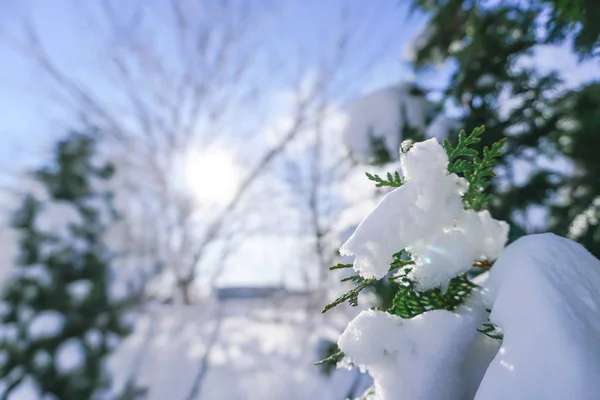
176,176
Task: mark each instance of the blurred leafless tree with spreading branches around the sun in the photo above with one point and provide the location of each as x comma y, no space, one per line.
170,77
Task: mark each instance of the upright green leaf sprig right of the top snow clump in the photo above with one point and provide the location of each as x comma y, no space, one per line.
464,161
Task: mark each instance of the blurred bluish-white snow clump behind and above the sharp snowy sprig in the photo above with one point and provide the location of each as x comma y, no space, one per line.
381,115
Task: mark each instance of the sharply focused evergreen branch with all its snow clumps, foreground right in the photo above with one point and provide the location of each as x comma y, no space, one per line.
450,334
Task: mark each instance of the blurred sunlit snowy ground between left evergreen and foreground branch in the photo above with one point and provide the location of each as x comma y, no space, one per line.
261,352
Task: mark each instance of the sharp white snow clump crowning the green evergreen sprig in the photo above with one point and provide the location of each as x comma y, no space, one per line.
425,216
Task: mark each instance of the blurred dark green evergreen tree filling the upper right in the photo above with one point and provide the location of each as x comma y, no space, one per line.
550,130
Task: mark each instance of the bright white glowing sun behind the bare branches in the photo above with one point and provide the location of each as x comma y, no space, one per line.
212,177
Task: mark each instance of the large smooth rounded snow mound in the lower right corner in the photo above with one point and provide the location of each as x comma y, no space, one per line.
545,297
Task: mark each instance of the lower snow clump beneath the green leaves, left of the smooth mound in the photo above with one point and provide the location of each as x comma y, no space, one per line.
424,358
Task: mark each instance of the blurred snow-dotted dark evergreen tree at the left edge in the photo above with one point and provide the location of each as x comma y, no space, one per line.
59,319
